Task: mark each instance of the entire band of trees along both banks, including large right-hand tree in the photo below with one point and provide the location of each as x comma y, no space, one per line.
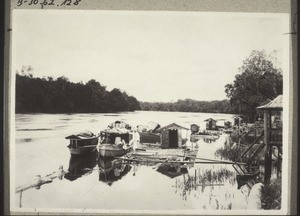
257,82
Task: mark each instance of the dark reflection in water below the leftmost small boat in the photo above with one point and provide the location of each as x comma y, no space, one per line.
80,165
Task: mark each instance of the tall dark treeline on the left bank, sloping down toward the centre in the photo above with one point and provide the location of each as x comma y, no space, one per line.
48,95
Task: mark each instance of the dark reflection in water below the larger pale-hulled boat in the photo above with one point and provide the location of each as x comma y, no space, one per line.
111,170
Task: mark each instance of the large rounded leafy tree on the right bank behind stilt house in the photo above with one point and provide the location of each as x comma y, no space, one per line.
258,81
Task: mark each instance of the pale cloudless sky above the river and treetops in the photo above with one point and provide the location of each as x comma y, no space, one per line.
154,56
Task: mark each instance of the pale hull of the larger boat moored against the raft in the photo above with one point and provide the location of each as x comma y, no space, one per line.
109,150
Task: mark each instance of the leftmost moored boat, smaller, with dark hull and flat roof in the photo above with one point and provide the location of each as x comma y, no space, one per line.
82,143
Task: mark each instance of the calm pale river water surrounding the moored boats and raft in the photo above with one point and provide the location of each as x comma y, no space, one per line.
41,147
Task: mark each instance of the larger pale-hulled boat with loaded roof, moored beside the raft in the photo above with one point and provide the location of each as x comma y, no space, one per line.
115,141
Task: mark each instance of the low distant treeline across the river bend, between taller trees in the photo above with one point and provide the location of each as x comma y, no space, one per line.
189,105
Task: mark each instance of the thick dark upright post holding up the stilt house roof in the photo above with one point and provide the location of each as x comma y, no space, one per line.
268,154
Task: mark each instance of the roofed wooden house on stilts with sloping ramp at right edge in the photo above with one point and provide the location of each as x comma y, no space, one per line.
269,140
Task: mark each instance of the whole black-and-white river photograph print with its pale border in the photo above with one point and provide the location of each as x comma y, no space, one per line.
149,112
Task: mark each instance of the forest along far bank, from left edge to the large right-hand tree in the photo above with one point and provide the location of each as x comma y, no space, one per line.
49,95
